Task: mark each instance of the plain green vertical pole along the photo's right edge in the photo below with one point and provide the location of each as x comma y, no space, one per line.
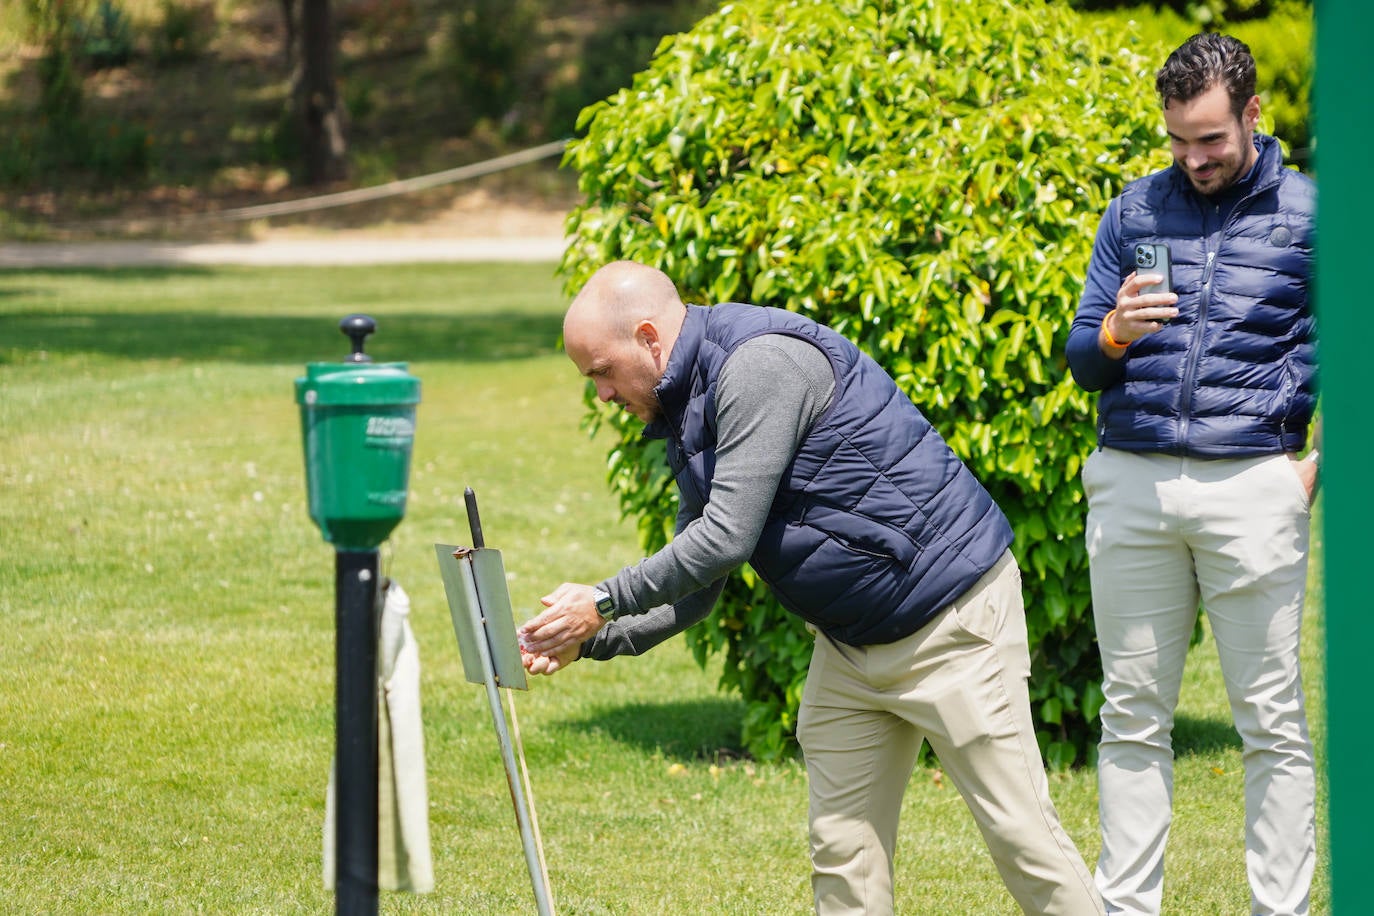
1346,244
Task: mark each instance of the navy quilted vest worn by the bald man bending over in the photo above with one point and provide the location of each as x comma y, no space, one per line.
877,527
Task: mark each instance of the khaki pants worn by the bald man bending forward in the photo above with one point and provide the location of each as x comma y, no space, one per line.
961,685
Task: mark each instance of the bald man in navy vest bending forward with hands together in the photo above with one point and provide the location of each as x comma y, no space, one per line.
798,454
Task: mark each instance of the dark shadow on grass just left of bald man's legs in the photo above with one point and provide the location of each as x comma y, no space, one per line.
704,730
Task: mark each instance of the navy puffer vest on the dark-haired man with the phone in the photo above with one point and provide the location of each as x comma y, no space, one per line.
1236,374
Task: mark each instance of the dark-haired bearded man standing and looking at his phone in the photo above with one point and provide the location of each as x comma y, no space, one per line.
1197,492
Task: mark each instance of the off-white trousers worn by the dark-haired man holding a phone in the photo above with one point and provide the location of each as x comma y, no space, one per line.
1166,534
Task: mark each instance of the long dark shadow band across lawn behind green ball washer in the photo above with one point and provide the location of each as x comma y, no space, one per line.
282,340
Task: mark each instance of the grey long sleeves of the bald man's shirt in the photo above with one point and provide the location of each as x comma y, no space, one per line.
769,396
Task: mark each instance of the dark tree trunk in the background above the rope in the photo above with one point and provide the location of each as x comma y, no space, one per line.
321,116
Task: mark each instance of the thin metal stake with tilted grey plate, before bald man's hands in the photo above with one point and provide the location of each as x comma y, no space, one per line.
475,580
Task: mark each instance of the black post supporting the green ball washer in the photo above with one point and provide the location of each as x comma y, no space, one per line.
355,733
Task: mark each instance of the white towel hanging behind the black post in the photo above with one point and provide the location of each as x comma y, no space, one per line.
403,862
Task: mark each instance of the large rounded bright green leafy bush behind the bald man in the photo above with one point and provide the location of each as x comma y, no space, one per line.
925,179
